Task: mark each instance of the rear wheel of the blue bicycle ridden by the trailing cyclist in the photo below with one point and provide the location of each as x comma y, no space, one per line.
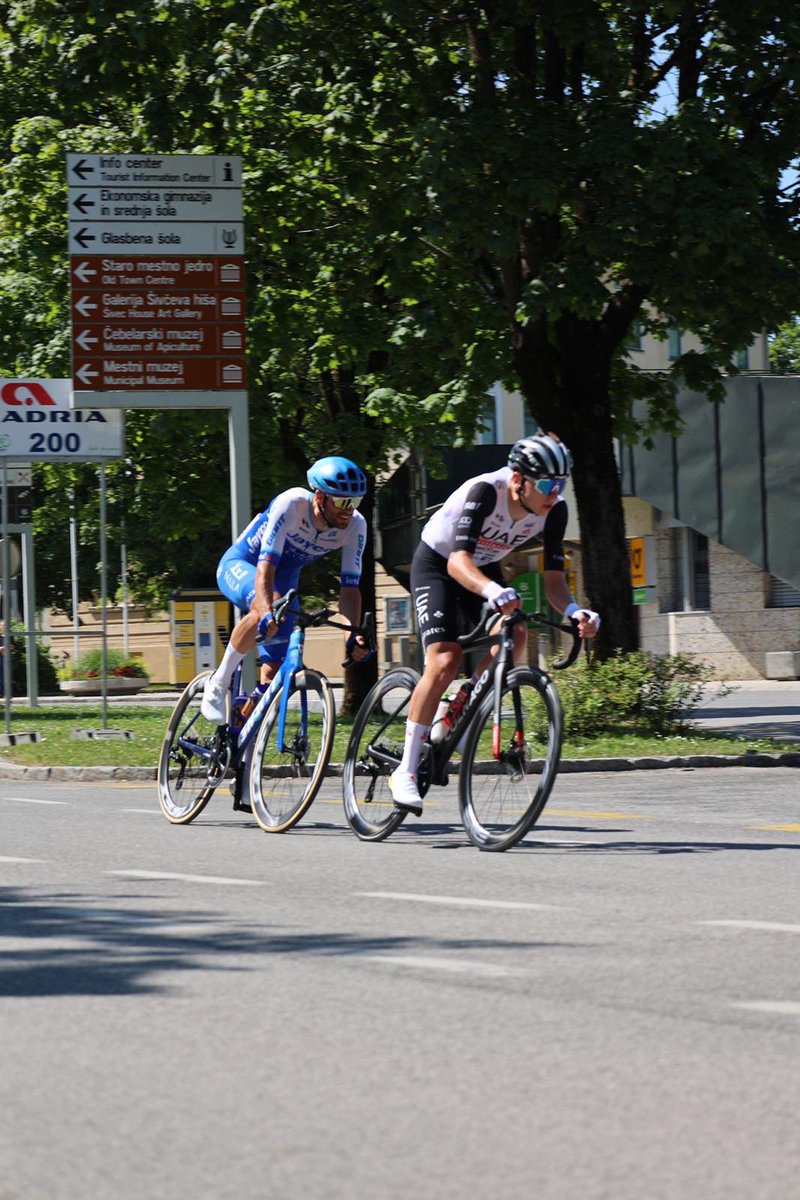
181,771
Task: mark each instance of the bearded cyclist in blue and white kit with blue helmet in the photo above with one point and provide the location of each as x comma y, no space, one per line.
266,561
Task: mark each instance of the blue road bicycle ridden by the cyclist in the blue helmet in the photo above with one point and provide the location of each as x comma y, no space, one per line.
276,754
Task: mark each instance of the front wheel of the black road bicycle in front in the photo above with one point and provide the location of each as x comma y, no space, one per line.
507,775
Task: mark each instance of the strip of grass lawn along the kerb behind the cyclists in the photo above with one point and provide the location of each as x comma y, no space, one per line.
57,747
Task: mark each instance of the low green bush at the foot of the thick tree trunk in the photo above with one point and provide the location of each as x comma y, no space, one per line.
640,692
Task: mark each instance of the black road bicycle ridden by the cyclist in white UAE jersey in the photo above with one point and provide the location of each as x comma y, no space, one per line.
512,730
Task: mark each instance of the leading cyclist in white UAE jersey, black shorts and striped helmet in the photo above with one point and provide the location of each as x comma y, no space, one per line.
456,568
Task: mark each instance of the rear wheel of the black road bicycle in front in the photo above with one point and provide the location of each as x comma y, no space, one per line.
377,730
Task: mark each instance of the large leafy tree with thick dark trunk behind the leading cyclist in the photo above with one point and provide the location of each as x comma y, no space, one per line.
543,179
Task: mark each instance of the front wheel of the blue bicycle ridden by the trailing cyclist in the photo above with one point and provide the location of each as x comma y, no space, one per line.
285,779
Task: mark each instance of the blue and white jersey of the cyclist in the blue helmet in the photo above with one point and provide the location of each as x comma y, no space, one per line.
285,535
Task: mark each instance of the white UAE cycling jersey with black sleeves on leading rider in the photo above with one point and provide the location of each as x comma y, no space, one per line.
477,519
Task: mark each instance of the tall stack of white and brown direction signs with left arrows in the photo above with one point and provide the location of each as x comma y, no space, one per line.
158,273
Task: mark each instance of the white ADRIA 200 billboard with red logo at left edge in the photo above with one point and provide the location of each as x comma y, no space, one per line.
38,425
